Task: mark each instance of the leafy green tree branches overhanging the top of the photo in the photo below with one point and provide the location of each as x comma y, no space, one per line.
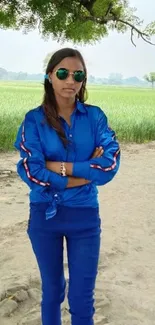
85,21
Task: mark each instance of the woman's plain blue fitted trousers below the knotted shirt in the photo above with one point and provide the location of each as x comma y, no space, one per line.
81,229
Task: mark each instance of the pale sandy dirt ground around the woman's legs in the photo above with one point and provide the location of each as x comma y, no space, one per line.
125,290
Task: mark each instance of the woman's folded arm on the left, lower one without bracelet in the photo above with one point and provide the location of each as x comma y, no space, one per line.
32,166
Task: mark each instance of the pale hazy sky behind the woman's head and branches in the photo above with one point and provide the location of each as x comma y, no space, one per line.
113,54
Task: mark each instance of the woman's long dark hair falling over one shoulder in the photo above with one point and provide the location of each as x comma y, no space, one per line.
49,100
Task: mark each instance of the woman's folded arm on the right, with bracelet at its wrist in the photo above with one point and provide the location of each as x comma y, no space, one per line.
101,169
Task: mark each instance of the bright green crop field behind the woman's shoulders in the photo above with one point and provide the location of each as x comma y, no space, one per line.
131,111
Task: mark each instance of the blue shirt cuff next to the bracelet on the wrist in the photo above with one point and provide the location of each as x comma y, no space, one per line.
81,169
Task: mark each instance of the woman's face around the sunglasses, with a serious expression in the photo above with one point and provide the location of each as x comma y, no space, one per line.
69,87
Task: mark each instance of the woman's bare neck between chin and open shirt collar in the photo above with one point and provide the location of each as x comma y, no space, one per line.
65,105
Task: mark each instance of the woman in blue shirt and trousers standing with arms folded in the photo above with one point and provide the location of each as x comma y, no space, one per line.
67,149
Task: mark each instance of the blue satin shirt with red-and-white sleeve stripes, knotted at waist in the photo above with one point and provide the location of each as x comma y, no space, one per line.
38,142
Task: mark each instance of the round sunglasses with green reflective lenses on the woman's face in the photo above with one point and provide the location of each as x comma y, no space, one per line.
63,74
